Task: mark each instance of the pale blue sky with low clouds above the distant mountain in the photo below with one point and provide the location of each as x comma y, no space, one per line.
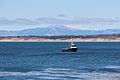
32,10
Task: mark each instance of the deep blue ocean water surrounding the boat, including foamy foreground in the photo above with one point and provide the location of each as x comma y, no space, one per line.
46,61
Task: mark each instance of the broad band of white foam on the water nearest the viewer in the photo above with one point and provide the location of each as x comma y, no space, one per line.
61,73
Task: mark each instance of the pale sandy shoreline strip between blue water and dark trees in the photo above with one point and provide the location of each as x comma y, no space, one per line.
60,40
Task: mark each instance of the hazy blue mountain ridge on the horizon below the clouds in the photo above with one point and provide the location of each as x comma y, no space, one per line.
56,31
